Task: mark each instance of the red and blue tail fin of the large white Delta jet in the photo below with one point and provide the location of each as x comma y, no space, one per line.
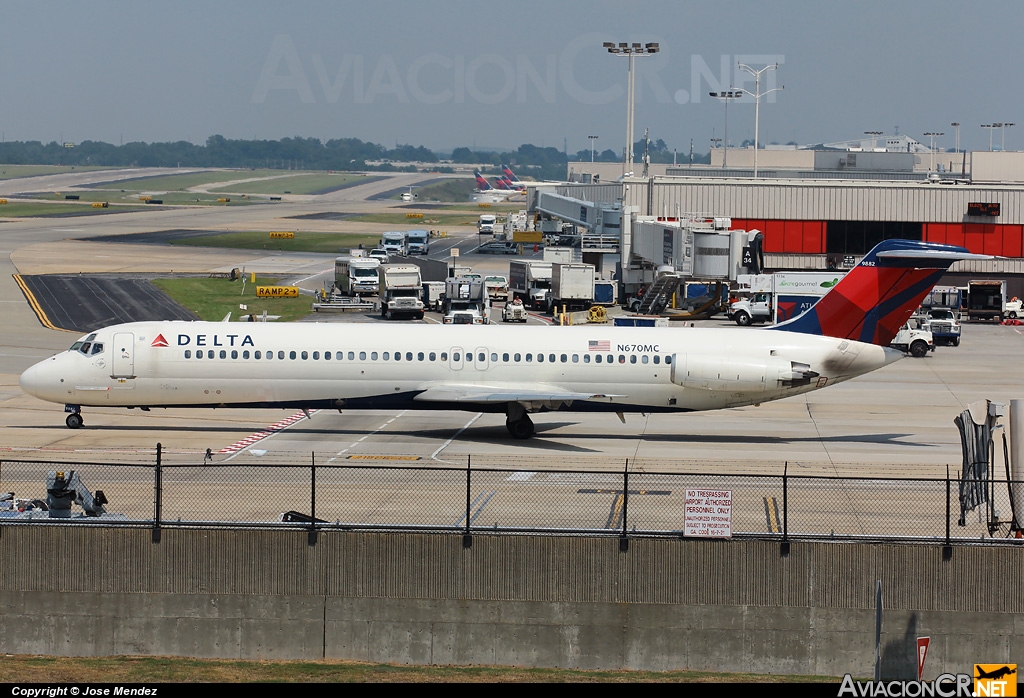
878,296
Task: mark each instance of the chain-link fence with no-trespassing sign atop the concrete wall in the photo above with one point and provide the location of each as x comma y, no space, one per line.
514,495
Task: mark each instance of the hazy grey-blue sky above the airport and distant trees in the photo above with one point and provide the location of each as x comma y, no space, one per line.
500,73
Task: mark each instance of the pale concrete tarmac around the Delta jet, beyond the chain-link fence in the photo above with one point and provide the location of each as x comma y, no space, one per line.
898,421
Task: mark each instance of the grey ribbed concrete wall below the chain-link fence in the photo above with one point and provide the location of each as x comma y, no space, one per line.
532,601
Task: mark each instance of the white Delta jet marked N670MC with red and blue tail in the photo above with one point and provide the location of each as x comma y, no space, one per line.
493,369
